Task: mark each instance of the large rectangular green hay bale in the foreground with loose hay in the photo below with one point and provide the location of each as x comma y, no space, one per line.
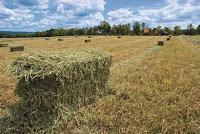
52,83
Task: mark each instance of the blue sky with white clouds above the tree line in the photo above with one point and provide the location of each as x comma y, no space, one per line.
39,15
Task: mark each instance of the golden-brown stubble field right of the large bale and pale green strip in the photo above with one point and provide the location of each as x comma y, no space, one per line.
159,93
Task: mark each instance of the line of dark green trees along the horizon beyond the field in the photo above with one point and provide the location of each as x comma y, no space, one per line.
104,28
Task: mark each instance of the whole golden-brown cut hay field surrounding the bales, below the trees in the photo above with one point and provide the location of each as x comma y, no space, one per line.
151,89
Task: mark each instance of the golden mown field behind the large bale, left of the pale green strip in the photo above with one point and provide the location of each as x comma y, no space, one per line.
121,49
